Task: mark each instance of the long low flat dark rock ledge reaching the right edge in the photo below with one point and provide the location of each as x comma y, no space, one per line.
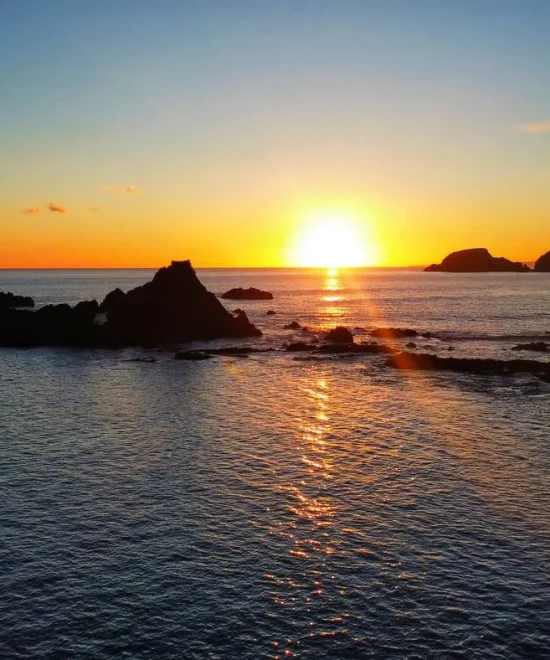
428,362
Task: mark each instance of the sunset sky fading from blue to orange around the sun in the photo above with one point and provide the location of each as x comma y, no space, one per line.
135,132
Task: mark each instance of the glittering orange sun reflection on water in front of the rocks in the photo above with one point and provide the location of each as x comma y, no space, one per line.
310,528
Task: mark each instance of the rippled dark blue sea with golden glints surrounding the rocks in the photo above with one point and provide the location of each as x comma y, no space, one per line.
280,506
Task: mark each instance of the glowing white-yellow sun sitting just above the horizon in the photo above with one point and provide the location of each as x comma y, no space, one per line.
334,239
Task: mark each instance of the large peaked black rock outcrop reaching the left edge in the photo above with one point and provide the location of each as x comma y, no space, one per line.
174,307
